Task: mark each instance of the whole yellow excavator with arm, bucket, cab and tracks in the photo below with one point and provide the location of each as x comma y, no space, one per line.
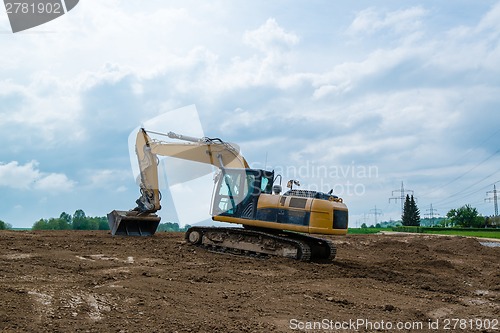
273,223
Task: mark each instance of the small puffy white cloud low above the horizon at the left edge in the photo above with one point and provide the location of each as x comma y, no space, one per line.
28,176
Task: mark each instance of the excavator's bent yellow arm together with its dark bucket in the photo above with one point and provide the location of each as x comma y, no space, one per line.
142,220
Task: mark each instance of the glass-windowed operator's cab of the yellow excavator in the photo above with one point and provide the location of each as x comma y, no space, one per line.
237,191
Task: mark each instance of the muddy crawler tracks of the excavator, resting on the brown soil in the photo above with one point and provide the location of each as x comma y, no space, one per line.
259,243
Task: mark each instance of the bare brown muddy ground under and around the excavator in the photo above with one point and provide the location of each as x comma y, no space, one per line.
70,281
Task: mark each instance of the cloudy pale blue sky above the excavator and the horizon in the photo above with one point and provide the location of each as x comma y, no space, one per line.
346,95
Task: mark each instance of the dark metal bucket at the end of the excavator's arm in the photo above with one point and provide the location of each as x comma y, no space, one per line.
130,223
